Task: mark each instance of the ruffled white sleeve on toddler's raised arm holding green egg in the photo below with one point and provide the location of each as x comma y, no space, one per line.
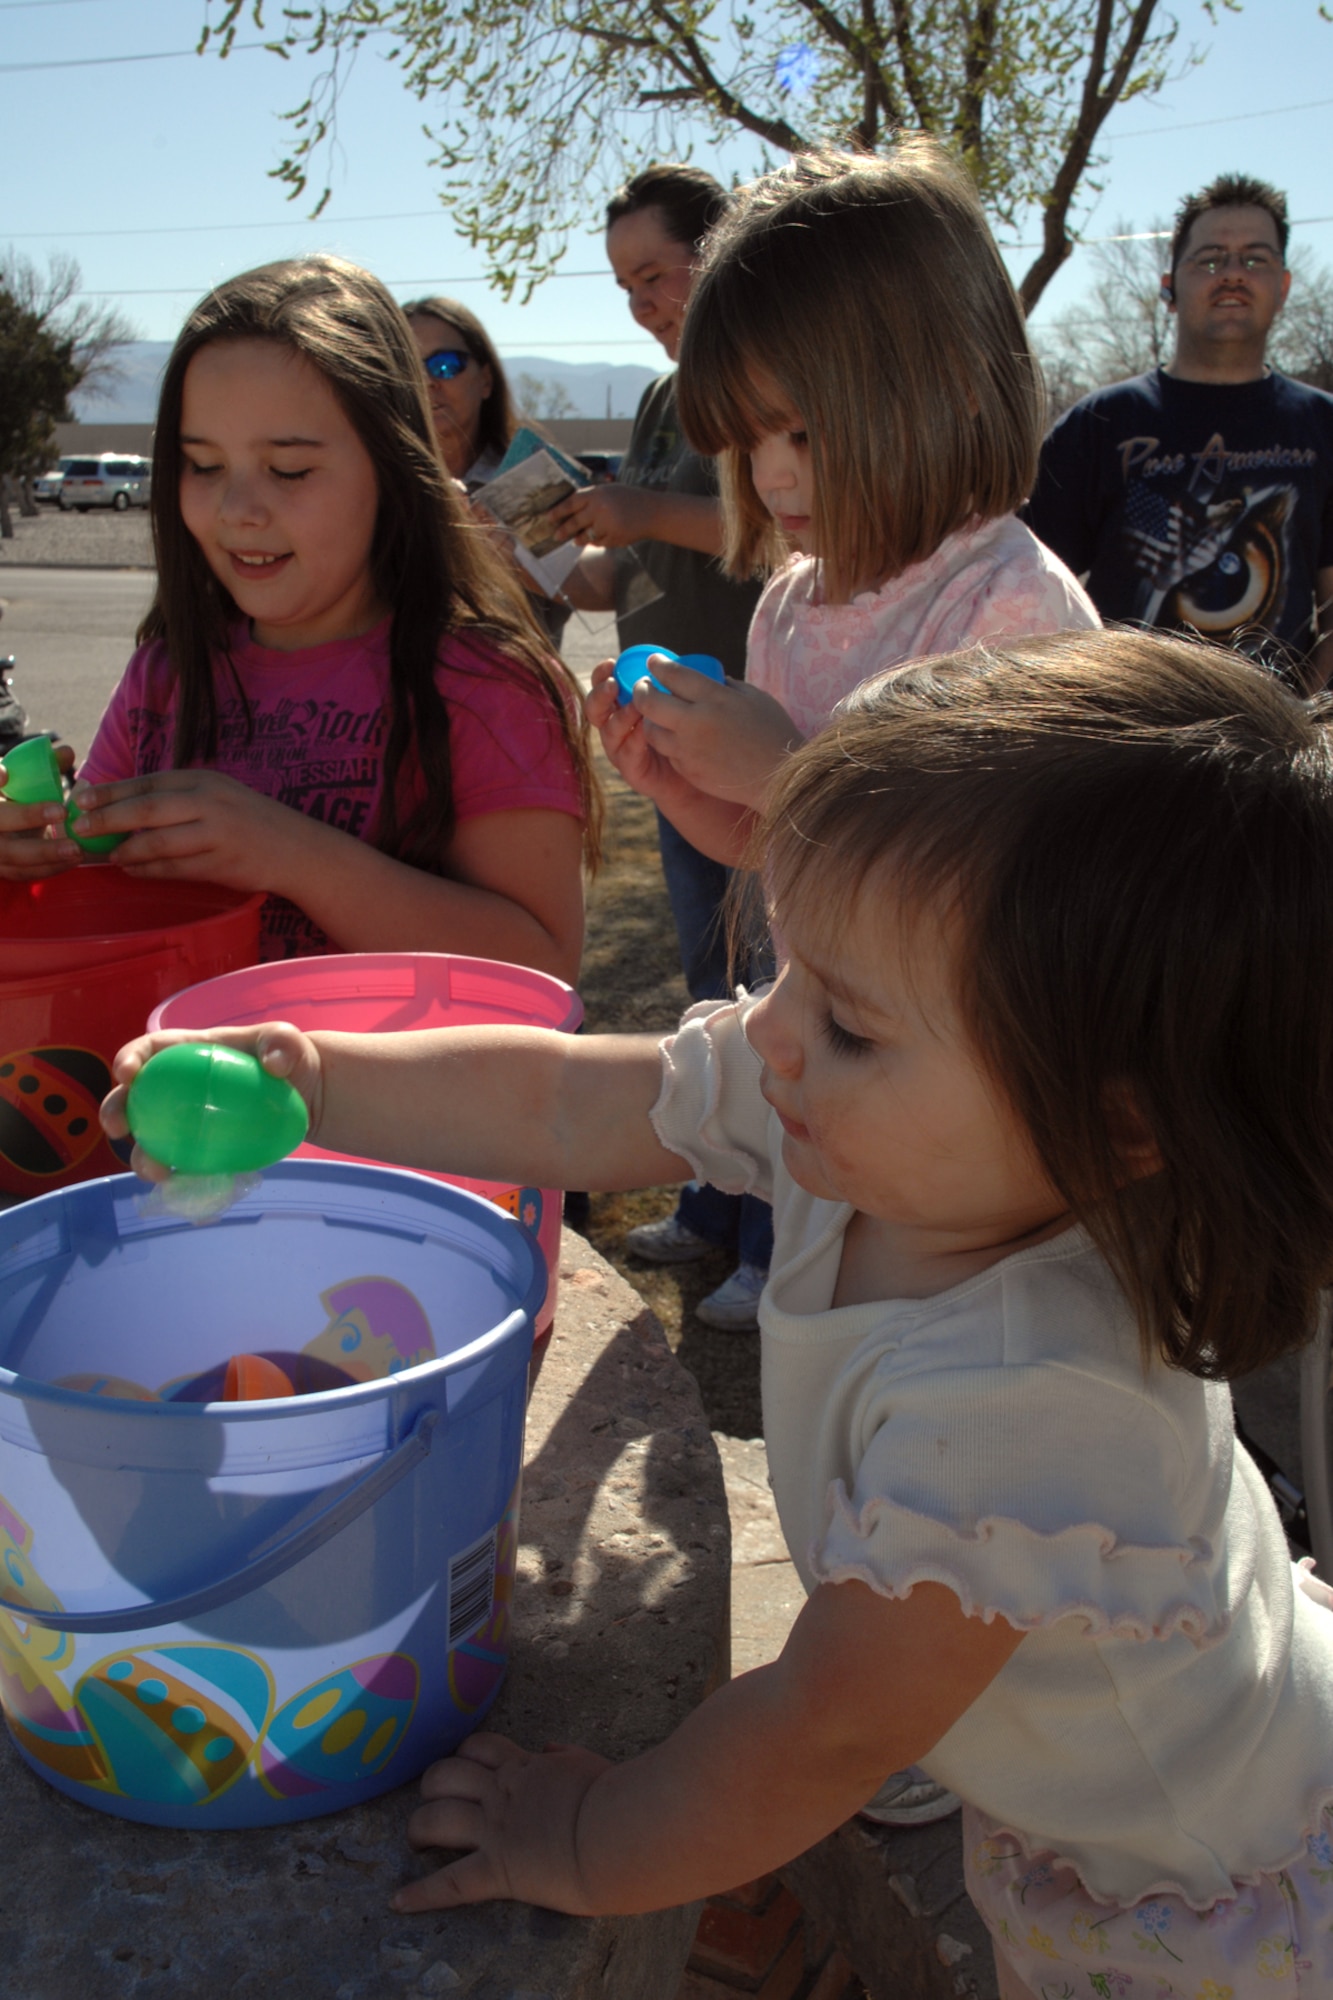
710,1107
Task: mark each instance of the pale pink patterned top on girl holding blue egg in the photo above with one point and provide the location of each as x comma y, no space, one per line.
992,579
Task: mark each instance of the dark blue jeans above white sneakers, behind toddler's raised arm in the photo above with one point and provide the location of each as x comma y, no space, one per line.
698,891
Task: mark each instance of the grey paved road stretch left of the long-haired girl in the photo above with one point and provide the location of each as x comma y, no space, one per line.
71,633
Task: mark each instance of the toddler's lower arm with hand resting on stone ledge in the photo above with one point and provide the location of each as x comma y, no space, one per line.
764,1769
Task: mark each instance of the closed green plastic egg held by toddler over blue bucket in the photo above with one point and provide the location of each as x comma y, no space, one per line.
203,1109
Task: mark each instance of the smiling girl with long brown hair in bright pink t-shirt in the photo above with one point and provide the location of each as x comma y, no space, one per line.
339,695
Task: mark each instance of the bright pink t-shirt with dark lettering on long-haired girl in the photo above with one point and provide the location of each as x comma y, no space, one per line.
315,741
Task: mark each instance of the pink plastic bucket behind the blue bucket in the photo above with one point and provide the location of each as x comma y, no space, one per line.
387,993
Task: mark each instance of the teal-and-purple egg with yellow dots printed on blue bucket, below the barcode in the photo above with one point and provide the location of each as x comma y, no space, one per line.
343,1729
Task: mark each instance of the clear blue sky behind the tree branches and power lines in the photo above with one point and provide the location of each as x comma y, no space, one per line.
155,175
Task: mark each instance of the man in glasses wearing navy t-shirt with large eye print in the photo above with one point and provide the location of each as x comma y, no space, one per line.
1200,497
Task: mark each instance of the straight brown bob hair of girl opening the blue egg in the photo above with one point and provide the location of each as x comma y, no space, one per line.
870,297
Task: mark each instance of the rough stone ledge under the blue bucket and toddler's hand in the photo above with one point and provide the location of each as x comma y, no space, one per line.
621,1627
